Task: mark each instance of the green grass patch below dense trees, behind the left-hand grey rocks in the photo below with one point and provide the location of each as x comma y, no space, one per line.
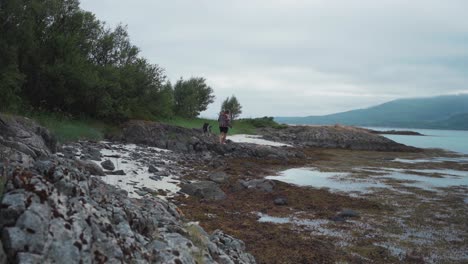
69,129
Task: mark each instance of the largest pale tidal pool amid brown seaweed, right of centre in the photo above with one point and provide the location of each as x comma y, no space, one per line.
337,181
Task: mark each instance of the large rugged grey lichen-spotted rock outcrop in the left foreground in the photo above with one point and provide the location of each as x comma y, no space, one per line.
57,213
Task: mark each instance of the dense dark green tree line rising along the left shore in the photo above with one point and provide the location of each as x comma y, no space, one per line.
54,56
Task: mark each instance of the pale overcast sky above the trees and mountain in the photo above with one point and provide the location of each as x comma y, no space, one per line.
298,57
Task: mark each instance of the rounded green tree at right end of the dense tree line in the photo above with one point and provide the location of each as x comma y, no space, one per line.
192,97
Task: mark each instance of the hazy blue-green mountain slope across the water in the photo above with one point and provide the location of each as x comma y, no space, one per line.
441,112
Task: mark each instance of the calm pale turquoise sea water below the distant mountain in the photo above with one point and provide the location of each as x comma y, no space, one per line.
453,140
